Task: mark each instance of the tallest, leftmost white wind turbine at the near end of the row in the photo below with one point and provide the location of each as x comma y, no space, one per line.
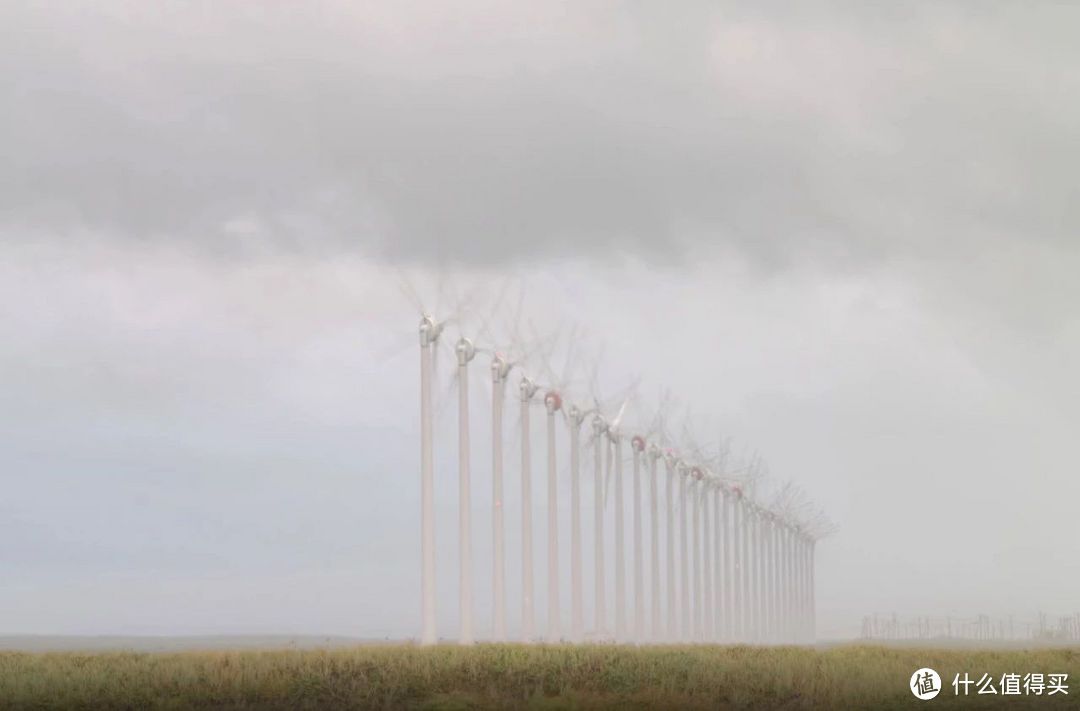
430,331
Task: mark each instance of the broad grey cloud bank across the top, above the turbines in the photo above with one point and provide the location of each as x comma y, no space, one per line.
484,133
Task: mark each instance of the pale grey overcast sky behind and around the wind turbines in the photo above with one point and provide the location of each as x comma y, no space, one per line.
843,236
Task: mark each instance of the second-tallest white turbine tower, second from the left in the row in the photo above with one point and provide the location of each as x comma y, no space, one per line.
466,353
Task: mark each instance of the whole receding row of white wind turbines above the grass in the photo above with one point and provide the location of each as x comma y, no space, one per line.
734,570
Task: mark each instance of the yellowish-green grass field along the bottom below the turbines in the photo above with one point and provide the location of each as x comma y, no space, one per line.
508,677
